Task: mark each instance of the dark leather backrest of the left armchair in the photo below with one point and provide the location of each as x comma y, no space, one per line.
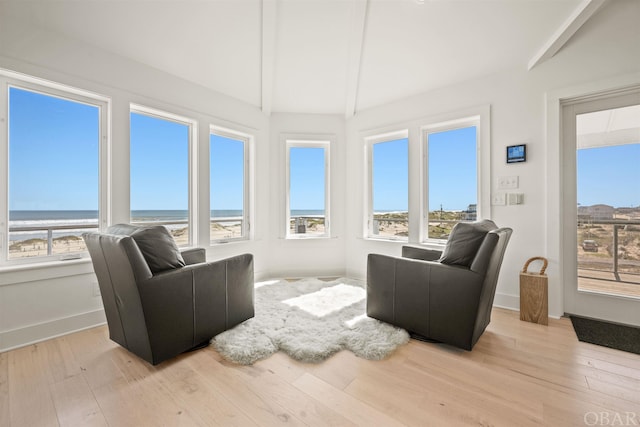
119,265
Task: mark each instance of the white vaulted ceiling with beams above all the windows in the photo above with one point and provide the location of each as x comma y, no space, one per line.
313,56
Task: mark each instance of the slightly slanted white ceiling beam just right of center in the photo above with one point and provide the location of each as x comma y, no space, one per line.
356,44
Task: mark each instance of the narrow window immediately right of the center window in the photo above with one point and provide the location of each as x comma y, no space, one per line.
388,211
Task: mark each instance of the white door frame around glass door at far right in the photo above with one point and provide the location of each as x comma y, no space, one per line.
564,298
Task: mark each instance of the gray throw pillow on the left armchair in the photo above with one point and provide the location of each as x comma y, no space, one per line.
158,248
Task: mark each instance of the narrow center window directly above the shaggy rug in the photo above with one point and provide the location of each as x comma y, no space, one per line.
307,185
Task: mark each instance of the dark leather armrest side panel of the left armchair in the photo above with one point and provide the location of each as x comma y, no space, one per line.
187,306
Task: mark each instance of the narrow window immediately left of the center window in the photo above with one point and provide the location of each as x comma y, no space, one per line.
229,185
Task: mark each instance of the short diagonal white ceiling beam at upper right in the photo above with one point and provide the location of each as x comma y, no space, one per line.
583,12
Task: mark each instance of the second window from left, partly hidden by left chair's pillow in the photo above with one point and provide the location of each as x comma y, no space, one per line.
160,145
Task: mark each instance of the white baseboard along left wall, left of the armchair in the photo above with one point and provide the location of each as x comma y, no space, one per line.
28,335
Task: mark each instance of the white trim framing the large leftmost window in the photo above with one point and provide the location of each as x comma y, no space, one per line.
22,81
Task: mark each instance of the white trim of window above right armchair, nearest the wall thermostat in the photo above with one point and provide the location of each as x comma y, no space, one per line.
481,119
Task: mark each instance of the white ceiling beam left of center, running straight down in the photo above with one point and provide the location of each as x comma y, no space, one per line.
269,27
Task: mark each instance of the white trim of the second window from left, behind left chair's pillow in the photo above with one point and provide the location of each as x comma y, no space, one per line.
193,161
